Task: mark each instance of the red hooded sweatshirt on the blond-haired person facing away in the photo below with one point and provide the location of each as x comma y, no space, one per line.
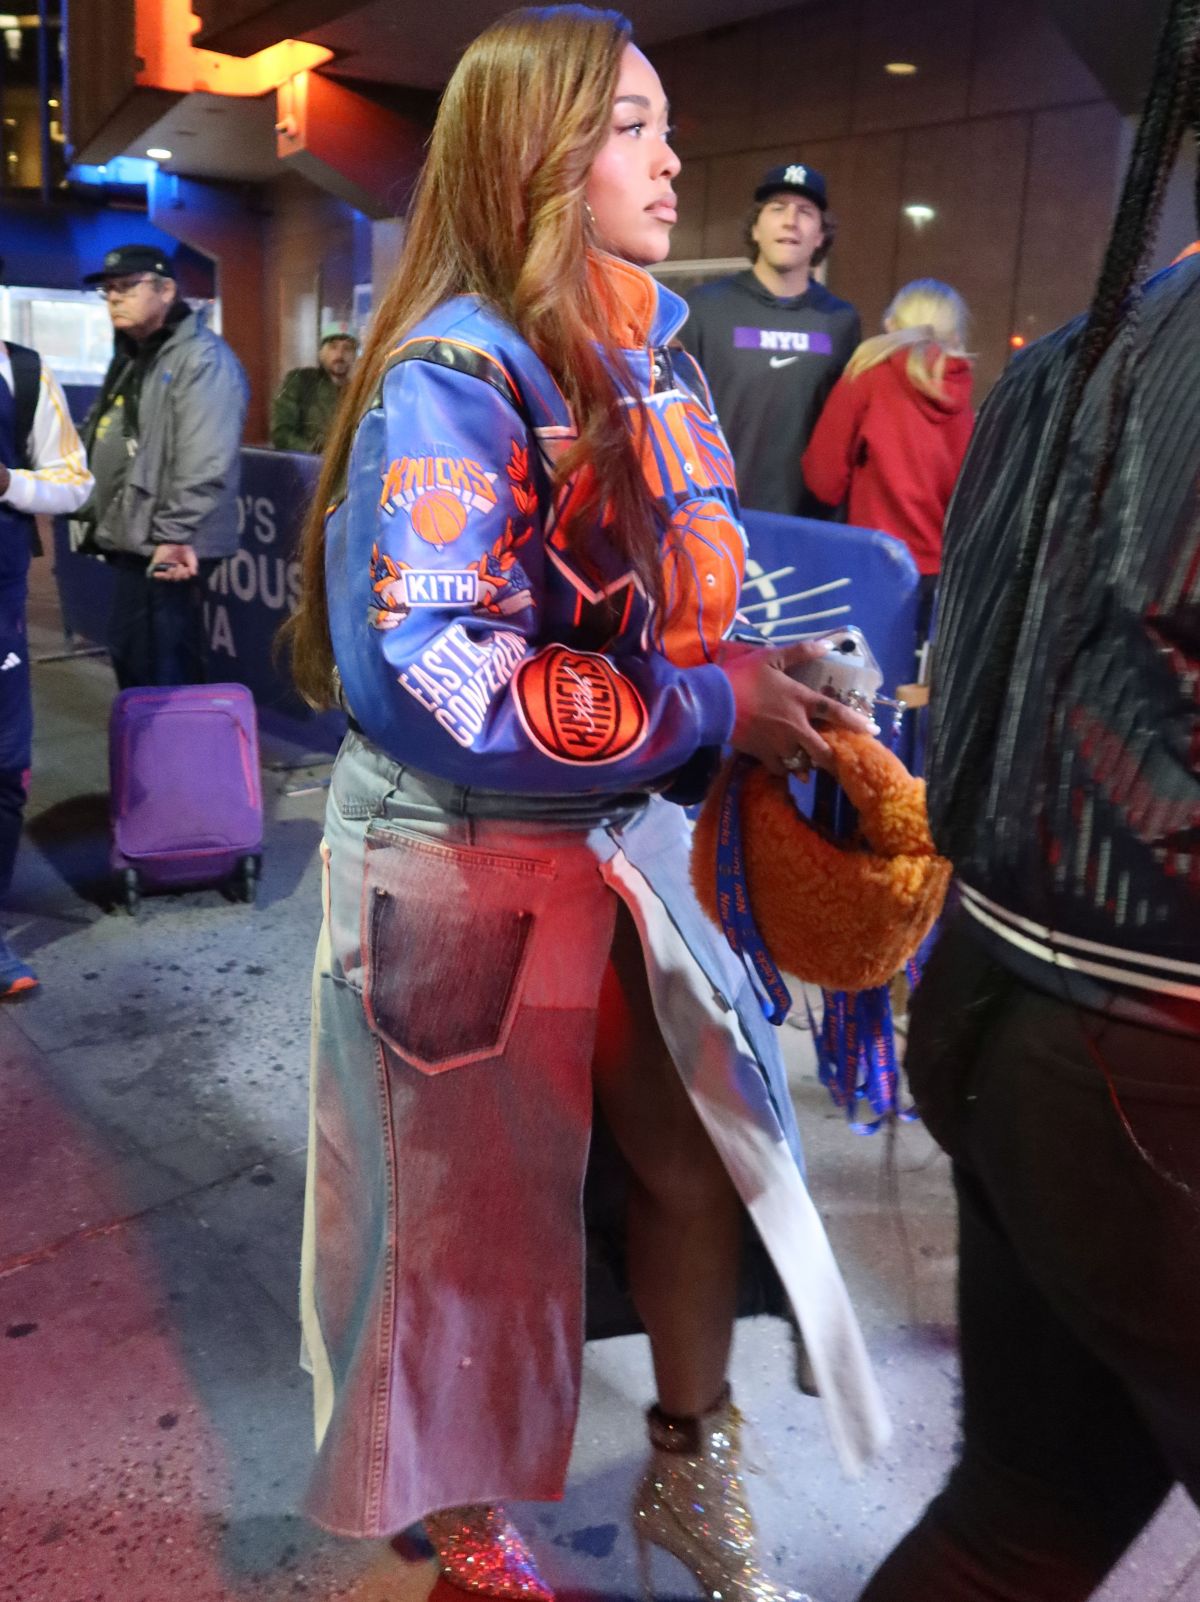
893,453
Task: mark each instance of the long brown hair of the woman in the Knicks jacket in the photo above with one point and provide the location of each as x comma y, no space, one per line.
501,214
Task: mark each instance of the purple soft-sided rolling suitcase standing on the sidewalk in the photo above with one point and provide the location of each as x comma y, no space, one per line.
187,792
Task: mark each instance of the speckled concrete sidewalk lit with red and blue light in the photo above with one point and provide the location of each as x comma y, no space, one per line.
153,1109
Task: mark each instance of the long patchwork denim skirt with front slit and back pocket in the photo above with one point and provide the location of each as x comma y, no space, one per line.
454,1016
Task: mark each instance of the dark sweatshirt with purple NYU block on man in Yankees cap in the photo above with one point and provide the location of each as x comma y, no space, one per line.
770,363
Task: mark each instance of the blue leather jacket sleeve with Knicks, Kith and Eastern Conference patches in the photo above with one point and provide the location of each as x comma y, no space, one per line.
440,624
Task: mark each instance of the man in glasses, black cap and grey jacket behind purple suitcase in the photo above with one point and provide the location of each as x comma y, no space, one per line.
164,441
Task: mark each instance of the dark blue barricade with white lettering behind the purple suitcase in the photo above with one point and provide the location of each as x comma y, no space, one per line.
249,595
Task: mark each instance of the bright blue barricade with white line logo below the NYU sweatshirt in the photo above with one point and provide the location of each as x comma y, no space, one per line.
805,578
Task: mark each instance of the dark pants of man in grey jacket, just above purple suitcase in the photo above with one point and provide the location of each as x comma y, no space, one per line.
156,627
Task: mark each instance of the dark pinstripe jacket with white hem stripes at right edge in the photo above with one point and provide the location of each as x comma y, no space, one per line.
1084,851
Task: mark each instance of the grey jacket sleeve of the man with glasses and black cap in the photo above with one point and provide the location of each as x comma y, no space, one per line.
209,400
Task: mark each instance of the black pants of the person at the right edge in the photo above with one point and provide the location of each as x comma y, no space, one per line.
1079,1284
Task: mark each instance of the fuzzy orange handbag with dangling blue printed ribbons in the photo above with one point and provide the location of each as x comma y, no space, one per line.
839,904
